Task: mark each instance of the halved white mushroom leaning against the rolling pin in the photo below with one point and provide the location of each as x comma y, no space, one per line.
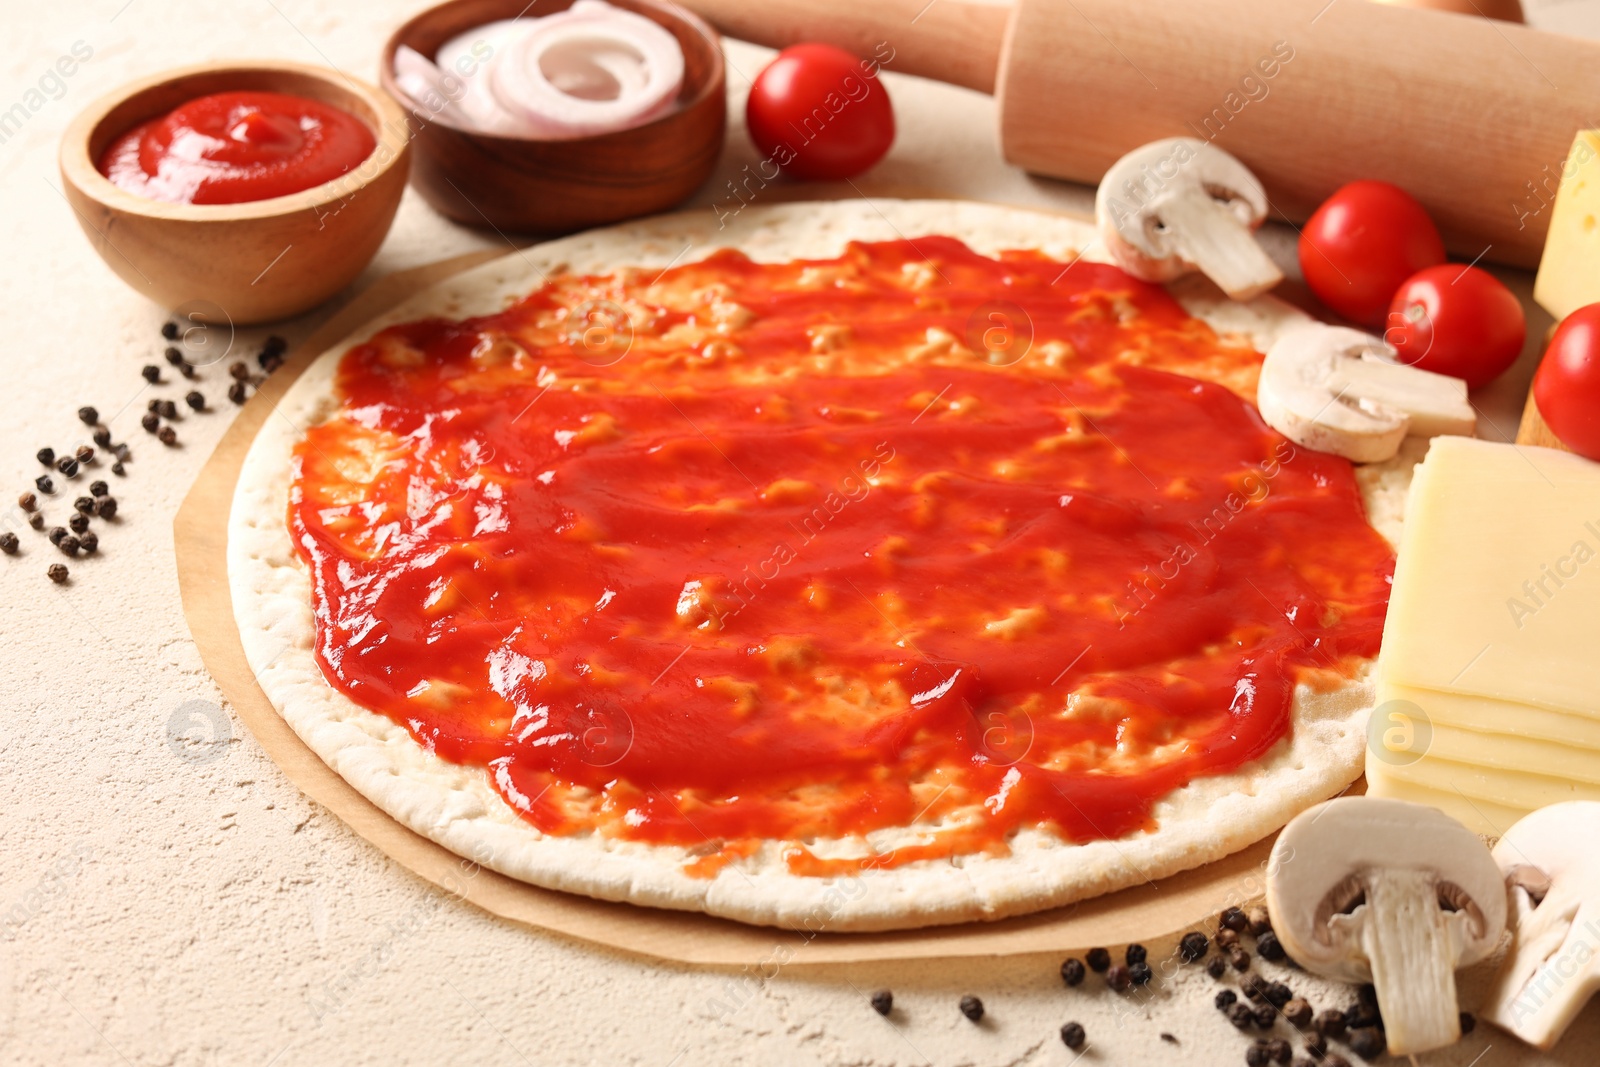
1183,206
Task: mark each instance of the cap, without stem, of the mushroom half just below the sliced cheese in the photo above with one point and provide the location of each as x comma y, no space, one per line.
1326,857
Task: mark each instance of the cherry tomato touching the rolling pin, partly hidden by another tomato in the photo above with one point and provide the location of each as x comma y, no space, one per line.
1362,244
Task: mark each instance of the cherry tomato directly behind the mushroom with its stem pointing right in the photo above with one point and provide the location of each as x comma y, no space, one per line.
1457,321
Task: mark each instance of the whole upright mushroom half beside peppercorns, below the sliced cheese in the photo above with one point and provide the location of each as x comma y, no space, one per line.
1398,895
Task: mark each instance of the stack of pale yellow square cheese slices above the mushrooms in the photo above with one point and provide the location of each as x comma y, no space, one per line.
1489,684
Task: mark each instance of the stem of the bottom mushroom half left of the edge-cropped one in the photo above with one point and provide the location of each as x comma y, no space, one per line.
1412,948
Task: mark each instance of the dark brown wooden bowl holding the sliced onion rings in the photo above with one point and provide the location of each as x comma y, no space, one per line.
562,186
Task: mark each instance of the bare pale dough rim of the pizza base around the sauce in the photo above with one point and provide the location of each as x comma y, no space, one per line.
455,805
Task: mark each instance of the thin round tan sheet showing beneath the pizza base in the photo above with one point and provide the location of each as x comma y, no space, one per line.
1153,913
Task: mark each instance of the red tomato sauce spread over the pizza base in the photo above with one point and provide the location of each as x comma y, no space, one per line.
945,594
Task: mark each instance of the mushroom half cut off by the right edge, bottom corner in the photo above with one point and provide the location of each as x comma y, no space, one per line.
1553,876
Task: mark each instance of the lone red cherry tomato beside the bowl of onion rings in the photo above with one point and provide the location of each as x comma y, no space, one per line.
820,114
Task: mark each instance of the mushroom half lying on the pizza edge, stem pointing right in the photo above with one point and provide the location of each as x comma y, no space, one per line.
1340,391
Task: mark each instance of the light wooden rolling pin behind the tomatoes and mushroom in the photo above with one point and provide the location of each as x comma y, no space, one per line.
1474,118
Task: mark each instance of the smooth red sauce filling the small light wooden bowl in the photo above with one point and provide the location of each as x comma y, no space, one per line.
233,148
